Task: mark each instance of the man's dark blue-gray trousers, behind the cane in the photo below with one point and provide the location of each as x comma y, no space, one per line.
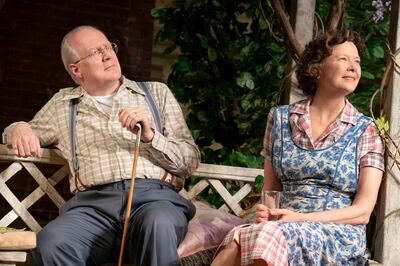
89,228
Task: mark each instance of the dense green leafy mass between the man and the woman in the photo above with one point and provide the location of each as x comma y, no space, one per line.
227,74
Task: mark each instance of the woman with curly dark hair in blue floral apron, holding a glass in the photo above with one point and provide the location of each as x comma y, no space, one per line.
326,157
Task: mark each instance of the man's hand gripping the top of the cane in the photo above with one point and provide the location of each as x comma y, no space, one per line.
129,117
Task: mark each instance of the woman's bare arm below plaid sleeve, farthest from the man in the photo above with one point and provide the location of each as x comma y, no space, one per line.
358,213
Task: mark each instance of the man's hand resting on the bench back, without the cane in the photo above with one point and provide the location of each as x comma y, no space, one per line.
24,141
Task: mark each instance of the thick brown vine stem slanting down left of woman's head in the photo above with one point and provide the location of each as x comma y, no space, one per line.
295,47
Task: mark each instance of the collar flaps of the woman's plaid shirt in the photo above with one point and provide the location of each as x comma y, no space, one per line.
348,115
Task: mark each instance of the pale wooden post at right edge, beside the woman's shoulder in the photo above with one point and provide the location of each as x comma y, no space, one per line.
387,244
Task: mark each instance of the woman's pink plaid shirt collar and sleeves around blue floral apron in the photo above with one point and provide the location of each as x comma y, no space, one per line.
370,146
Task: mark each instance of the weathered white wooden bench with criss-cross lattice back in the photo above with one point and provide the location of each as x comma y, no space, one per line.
209,175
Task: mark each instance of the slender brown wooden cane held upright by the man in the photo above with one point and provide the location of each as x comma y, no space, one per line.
130,196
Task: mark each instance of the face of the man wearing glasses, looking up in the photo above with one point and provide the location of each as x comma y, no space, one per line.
95,69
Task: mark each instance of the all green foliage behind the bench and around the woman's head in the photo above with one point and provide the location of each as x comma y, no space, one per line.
230,69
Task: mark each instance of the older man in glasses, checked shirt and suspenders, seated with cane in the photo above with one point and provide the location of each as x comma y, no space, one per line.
89,228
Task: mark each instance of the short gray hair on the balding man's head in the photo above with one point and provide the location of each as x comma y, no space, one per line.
68,54
